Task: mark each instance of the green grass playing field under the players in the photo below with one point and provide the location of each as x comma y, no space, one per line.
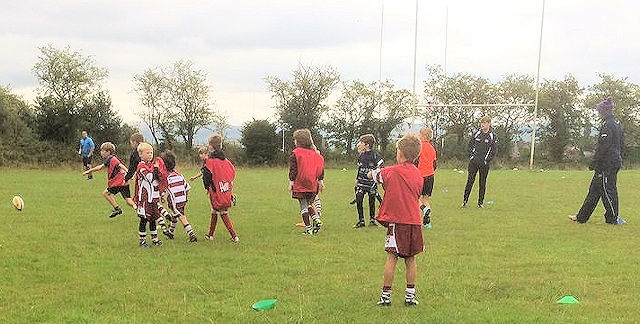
64,261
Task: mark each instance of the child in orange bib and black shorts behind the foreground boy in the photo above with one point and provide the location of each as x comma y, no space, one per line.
427,167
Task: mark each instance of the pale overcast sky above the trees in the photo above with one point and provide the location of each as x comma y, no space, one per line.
240,42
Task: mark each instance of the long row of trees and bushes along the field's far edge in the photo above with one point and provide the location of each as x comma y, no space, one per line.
176,101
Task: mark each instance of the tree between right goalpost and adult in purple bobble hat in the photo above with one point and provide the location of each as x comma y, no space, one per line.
561,119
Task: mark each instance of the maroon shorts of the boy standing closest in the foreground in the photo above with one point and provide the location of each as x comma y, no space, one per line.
404,240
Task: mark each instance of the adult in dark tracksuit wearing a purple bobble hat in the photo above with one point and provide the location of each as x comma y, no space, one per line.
606,162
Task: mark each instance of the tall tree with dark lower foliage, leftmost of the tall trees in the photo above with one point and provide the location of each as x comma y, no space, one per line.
67,81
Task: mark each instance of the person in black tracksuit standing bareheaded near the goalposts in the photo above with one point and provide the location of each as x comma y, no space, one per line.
482,148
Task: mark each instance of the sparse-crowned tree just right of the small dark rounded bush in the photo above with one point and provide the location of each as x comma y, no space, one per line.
300,102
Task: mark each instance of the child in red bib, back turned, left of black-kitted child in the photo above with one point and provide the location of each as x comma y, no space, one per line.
306,175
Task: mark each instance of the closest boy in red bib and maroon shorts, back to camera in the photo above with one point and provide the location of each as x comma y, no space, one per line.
400,213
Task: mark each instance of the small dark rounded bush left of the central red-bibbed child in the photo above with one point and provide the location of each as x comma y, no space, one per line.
260,141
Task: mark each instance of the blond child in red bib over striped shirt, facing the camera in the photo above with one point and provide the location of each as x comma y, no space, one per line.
151,180
